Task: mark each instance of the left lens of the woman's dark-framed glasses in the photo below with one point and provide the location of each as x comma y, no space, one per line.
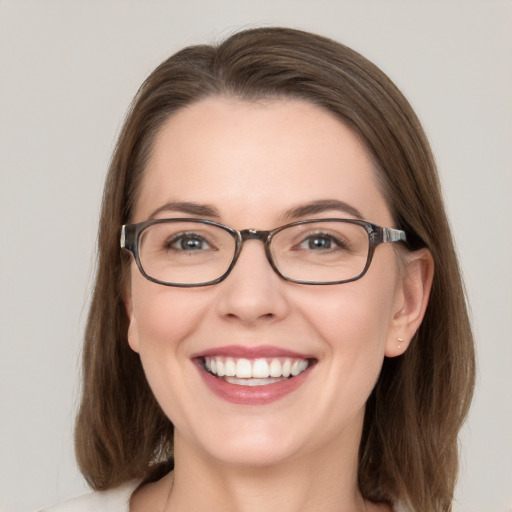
185,252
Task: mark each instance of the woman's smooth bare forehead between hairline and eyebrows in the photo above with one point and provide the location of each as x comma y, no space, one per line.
257,159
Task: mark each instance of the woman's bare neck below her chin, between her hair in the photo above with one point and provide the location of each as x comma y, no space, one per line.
324,480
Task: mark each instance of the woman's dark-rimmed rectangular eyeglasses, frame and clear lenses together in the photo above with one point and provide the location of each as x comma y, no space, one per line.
197,252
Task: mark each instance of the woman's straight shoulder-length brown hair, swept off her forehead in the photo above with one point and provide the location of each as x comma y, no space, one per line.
409,445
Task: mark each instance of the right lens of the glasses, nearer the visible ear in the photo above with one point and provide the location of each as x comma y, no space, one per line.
321,252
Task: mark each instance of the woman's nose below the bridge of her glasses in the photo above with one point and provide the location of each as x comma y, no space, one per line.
253,292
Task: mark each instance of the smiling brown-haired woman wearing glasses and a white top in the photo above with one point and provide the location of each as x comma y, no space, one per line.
284,326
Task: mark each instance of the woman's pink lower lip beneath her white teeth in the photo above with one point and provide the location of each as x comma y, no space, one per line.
252,395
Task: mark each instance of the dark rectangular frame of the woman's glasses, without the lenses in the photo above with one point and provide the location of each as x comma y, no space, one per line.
131,233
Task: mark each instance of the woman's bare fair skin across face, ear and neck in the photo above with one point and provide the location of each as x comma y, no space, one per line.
251,163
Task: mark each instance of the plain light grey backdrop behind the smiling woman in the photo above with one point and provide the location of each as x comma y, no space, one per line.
68,70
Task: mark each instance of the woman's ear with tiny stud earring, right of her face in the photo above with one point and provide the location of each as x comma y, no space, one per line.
411,300
